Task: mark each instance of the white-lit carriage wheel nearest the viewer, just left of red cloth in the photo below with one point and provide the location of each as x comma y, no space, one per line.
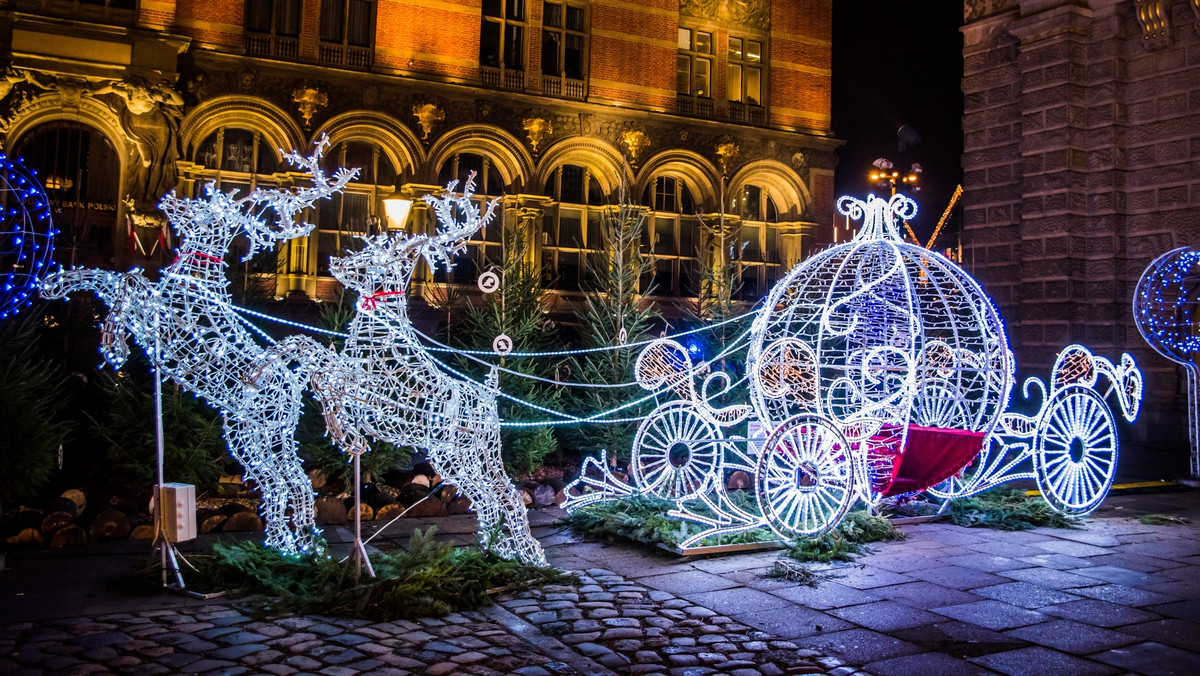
805,477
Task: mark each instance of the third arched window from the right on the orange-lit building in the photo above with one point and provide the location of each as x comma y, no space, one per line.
571,229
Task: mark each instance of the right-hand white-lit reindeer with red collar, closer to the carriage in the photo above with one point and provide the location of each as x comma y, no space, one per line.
385,386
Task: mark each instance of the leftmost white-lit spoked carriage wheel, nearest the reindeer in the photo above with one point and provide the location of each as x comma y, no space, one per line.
675,452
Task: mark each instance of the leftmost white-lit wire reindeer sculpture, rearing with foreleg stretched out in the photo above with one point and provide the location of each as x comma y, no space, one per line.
188,326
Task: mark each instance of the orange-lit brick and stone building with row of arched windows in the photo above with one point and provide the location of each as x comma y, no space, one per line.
700,109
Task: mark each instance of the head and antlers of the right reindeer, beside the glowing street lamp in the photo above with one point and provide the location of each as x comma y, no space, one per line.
386,264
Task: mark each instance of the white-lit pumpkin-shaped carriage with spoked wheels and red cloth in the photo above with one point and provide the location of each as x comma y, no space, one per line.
875,369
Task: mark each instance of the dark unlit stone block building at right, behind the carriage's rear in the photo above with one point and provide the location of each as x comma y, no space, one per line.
1082,163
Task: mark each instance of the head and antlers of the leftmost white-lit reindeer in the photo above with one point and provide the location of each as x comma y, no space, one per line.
219,217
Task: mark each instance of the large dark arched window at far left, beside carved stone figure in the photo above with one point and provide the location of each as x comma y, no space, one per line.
81,172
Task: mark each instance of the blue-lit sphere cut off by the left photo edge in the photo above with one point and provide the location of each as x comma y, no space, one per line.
27,236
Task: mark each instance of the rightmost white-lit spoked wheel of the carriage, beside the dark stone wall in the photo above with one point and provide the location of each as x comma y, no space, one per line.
1076,457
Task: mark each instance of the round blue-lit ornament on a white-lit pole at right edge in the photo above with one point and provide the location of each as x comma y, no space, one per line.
1166,309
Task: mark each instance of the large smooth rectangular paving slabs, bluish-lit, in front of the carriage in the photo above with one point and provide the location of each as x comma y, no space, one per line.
1115,596
